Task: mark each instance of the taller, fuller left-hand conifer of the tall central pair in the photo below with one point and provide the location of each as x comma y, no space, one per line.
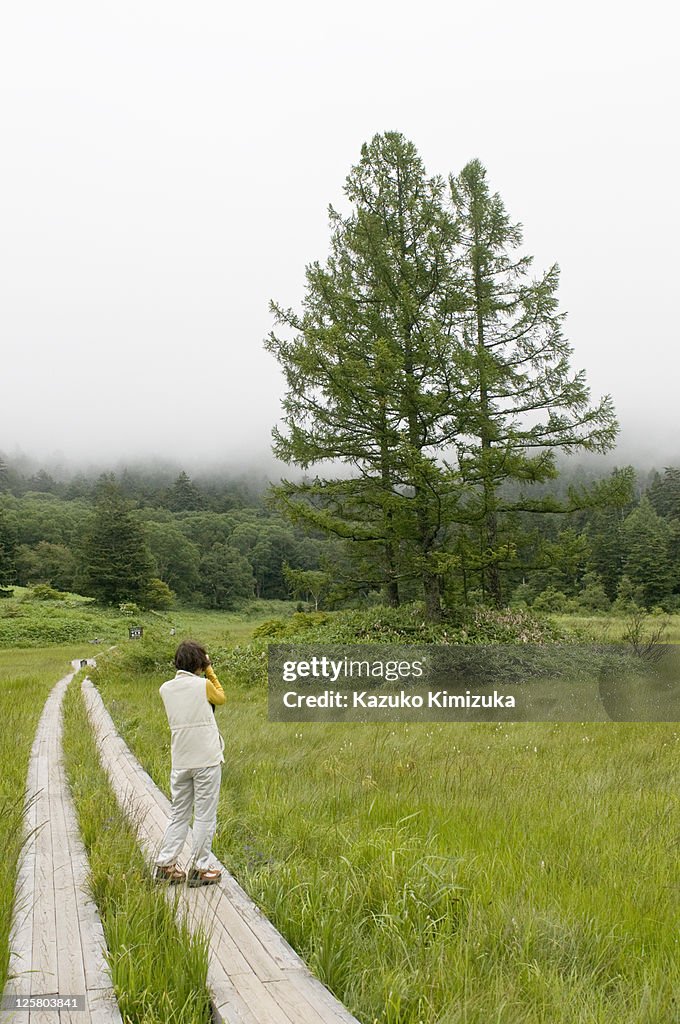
368,367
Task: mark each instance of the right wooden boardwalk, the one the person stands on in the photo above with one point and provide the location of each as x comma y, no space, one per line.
256,977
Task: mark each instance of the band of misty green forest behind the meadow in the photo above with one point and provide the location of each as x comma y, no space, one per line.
158,540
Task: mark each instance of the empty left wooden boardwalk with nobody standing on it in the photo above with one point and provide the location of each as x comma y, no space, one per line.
57,942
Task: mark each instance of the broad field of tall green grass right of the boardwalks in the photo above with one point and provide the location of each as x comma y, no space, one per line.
453,874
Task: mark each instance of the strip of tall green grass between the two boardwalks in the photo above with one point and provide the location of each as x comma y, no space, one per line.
159,970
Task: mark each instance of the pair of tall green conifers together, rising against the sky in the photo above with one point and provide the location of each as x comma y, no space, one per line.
423,334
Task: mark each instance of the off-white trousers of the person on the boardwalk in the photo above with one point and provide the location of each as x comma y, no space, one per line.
198,790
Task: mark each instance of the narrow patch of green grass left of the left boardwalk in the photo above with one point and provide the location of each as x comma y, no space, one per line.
26,679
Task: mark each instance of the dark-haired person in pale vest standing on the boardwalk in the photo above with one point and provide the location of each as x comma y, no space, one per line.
197,751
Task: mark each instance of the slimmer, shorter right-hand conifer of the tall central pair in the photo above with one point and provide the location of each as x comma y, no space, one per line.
520,403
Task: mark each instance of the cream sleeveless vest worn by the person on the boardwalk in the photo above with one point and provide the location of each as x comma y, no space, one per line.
196,740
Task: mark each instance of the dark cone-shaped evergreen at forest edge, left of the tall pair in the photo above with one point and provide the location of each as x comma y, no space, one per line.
117,565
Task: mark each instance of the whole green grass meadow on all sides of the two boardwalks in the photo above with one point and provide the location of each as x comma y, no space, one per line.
441,874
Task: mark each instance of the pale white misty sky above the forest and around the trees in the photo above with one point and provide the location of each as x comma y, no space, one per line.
166,170
